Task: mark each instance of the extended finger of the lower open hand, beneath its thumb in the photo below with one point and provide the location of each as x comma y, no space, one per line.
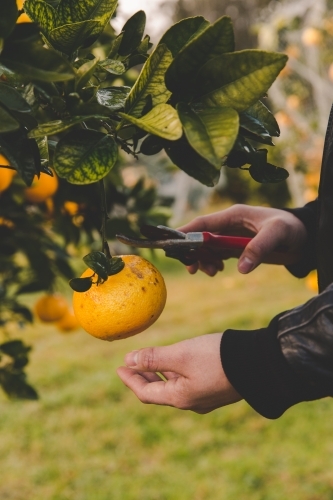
147,392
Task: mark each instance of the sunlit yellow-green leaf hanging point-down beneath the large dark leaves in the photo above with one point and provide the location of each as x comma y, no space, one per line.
211,132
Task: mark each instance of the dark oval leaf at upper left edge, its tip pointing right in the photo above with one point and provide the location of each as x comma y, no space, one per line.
33,61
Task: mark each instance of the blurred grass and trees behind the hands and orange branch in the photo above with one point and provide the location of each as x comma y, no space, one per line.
88,438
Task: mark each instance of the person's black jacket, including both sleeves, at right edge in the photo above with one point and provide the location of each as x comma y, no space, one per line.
291,360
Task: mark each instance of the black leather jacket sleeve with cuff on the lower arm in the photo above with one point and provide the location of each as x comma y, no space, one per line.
288,362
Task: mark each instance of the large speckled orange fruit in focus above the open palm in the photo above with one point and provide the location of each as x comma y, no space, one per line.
124,305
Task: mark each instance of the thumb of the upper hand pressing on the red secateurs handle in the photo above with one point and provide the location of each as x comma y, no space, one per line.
265,242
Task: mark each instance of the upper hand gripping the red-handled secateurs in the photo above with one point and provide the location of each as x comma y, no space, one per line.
271,228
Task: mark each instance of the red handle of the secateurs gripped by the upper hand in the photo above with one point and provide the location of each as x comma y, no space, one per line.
236,244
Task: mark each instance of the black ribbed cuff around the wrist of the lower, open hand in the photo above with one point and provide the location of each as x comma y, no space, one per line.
255,366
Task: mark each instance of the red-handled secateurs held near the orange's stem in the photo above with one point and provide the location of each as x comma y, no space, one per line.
189,248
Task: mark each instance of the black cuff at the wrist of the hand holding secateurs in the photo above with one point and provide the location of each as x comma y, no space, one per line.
308,261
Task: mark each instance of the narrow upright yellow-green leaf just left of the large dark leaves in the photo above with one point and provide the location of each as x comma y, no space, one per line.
150,82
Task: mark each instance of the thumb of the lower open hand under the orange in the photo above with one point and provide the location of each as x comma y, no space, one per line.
156,359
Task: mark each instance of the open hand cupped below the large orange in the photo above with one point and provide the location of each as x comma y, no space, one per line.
192,375
